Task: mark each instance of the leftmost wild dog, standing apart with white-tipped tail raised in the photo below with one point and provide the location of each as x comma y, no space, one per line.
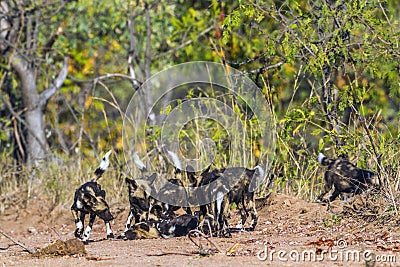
90,199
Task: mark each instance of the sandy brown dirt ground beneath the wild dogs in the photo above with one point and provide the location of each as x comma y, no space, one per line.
290,232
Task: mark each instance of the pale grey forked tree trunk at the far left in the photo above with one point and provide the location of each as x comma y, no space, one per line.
15,20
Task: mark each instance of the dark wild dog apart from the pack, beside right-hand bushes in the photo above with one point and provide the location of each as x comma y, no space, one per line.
345,177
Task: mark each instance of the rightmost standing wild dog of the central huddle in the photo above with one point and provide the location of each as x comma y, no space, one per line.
239,194
